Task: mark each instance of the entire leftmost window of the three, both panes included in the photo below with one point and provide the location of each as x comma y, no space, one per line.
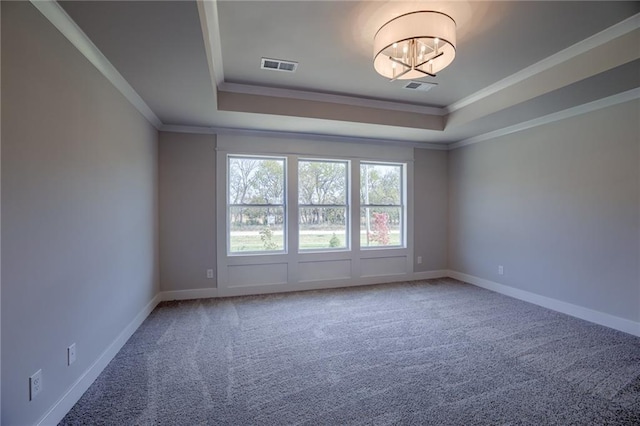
256,204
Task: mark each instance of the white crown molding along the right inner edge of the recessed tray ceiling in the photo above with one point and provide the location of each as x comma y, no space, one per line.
621,28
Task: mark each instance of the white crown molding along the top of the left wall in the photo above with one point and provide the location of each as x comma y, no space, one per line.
67,26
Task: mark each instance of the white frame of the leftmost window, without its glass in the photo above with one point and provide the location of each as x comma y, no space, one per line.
283,206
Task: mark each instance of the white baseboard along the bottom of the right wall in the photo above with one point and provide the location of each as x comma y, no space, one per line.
601,318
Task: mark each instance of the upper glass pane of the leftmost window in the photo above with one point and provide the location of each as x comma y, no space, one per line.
255,180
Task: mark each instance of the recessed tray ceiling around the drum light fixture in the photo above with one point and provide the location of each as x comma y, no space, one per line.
198,65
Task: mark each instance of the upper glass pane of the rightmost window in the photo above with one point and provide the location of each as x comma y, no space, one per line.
381,184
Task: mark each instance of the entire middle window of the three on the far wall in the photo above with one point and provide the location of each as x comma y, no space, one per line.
323,213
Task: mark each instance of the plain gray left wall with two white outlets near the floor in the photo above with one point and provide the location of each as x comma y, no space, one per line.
79,207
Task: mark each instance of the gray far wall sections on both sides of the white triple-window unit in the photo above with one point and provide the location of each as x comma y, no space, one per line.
188,220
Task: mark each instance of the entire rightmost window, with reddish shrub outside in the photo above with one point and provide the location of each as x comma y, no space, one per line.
382,205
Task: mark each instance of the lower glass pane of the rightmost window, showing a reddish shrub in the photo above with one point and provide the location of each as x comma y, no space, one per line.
381,226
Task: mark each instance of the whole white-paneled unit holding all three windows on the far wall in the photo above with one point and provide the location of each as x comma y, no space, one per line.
295,213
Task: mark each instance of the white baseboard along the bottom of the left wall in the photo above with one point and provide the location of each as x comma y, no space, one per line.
57,412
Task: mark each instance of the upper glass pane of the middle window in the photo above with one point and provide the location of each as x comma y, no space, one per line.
322,182
